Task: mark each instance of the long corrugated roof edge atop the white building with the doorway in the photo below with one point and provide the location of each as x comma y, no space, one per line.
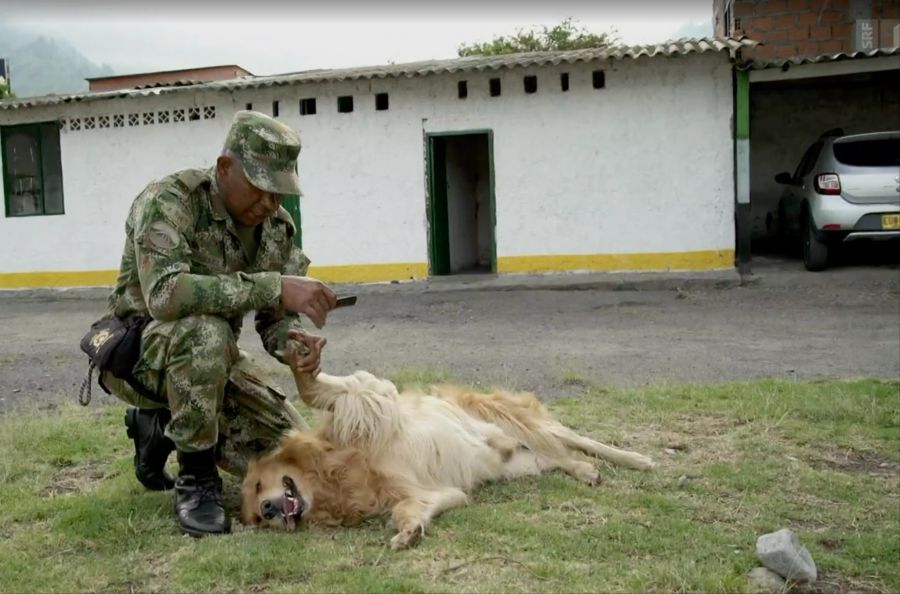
415,69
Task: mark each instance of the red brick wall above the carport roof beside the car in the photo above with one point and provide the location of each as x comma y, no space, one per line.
790,28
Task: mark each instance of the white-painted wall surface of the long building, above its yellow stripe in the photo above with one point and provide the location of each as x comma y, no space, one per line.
644,165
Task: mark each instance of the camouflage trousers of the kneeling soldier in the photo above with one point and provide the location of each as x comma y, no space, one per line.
217,396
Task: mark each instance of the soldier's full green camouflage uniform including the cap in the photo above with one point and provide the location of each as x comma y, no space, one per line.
185,265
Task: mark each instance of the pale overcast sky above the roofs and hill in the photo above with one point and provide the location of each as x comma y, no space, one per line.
268,37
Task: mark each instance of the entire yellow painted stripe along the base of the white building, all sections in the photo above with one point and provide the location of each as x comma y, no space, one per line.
368,273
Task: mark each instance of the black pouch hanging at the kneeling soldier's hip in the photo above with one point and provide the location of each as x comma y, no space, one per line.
114,345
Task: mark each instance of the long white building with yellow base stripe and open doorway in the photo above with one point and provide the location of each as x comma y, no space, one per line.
615,159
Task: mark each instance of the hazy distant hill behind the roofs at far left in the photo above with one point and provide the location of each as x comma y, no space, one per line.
41,65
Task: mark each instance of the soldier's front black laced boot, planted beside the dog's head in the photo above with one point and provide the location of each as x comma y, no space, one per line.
198,495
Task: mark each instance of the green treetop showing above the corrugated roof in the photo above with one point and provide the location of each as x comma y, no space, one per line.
564,36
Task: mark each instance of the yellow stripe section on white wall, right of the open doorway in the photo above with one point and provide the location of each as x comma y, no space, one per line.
663,261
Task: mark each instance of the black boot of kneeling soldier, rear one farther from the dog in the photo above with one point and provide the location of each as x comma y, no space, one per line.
151,446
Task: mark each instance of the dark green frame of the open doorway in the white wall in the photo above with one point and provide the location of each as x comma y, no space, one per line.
438,225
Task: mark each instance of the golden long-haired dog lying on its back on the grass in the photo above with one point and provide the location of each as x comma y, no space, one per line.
411,454
